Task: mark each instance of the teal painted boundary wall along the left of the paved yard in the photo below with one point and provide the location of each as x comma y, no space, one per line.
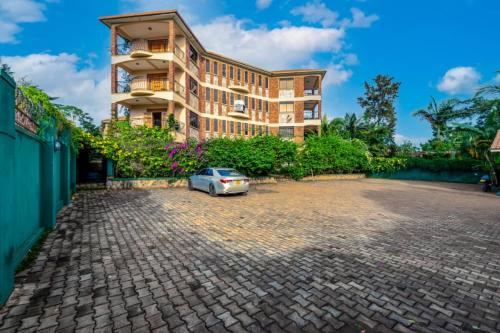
36,181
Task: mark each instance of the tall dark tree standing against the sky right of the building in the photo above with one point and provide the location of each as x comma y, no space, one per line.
378,103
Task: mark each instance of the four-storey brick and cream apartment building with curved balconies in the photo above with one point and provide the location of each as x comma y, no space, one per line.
158,68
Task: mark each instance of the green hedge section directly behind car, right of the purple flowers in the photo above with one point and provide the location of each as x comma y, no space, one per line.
256,156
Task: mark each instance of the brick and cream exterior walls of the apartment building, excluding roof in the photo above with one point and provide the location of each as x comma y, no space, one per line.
220,83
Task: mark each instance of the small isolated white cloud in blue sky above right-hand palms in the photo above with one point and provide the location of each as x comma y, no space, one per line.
459,80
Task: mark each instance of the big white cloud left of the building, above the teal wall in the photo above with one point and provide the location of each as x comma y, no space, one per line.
62,76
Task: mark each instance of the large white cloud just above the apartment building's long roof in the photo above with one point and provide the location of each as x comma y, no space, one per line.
277,48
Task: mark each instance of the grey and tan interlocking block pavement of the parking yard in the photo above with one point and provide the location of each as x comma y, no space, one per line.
333,256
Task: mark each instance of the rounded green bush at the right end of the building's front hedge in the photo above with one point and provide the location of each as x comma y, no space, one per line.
330,154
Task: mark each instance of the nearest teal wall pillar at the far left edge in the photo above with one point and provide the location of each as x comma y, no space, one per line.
7,186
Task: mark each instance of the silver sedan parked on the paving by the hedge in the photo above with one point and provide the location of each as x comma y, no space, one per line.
219,181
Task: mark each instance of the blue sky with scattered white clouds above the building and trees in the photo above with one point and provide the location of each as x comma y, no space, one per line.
441,48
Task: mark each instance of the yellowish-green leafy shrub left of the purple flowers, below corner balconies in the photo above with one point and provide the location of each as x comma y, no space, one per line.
136,151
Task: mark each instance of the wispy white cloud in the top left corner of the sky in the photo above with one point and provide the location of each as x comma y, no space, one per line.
15,12
